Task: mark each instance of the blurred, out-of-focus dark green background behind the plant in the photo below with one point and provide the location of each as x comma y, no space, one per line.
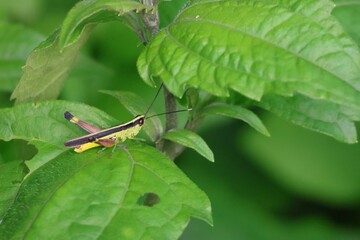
296,184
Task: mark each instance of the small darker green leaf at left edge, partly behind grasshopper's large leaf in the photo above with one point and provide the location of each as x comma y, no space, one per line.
12,173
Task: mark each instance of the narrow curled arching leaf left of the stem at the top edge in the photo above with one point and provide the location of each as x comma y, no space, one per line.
91,12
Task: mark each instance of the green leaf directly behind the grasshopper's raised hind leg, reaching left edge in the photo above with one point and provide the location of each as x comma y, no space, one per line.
45,122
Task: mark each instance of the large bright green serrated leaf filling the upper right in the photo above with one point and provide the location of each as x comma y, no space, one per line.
255,48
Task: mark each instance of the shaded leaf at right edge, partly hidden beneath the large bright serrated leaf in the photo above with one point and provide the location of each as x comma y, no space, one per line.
317,115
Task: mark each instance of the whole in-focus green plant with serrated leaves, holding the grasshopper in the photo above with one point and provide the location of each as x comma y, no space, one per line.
291,57
